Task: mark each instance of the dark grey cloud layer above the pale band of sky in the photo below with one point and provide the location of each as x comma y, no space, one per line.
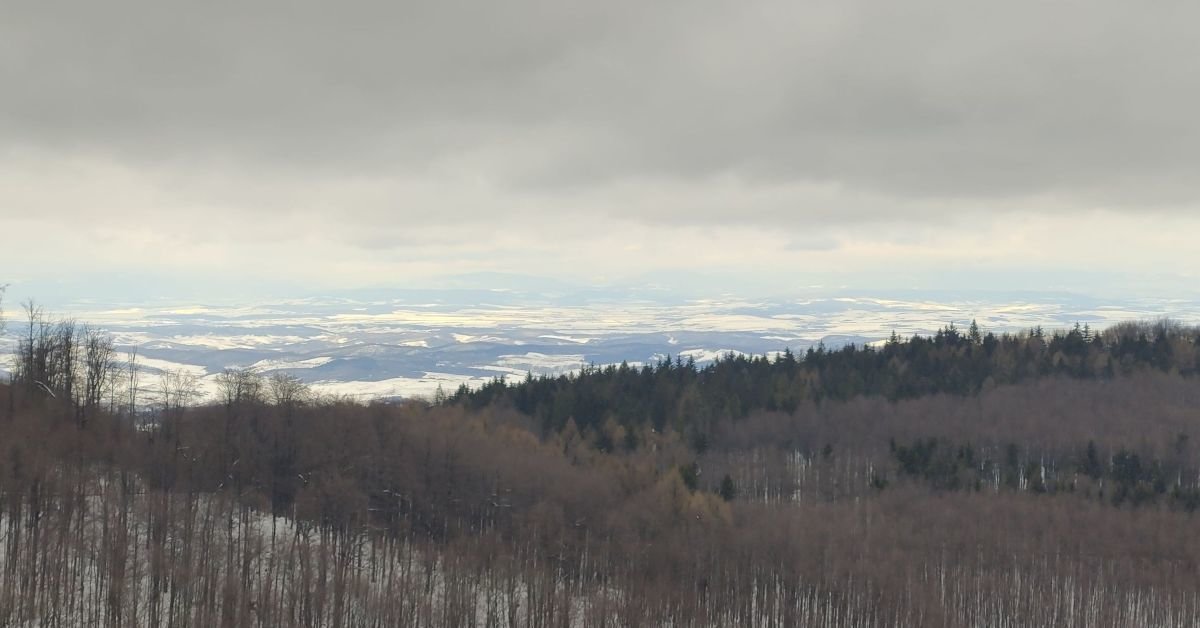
1091,104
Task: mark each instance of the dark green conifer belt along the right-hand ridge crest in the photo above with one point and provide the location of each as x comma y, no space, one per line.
691,400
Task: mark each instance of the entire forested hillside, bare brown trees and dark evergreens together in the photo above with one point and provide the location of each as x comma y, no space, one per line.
963,480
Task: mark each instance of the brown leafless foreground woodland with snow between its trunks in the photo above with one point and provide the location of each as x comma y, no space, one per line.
416,516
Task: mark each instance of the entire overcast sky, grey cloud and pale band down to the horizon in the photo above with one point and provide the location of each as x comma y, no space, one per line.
340,145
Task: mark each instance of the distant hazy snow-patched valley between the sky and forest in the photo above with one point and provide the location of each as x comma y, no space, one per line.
410,344
